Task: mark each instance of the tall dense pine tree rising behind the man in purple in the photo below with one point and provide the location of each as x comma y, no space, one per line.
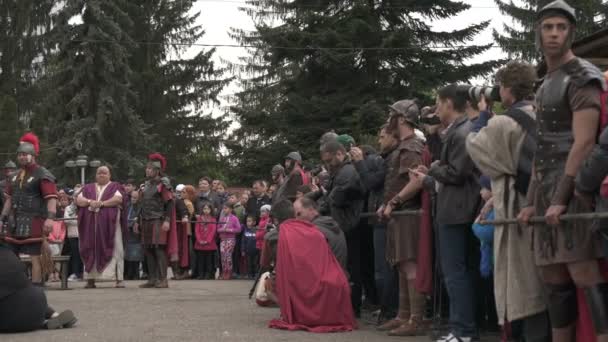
89,102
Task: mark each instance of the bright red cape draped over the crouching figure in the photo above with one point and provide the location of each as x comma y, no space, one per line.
313,292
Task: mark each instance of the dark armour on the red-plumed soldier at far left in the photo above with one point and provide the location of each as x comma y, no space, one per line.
27,201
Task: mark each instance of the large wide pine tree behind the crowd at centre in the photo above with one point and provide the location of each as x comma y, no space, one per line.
321,65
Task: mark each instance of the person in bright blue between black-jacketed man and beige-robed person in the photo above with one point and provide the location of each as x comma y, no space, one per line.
485,234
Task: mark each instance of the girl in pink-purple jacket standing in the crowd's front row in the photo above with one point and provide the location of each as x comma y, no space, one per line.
229,227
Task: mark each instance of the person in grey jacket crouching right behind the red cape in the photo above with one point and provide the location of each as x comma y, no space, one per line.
308,210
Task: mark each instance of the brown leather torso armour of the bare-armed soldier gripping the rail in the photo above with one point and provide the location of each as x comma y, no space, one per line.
395,182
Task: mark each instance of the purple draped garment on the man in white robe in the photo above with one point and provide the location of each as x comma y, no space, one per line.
96,230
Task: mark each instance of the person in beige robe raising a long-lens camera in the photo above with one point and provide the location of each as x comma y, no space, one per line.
517,286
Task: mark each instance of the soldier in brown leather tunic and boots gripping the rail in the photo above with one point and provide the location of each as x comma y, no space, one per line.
403,232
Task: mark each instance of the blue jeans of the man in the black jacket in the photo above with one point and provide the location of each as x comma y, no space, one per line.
453,254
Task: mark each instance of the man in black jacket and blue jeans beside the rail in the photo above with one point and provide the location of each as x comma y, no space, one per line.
457,203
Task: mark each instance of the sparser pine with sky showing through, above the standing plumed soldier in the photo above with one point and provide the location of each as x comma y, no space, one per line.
175,94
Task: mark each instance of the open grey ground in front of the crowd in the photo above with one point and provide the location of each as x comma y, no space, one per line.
188,311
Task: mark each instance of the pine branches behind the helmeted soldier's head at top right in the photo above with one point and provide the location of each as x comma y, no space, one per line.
518,40
